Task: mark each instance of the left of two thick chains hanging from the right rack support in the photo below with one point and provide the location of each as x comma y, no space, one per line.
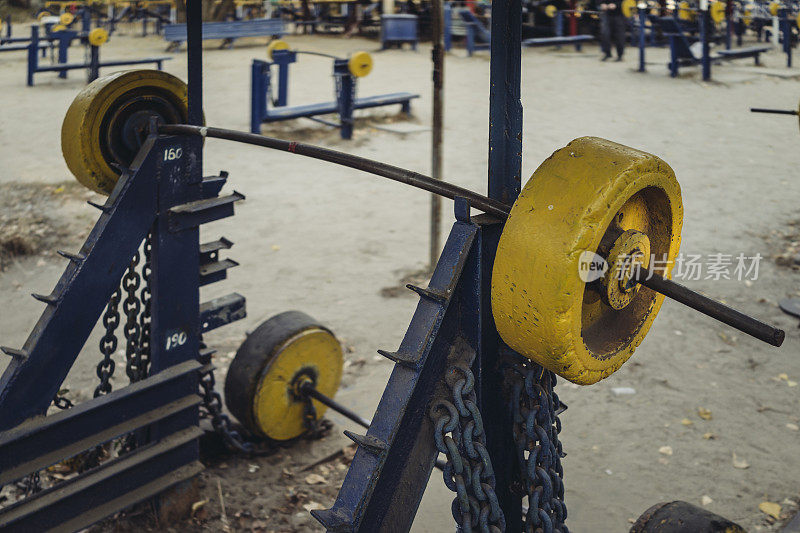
468,472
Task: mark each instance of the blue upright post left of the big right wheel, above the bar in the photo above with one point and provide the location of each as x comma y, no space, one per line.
505,108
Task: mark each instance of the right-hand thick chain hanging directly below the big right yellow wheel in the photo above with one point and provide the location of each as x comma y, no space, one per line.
539,451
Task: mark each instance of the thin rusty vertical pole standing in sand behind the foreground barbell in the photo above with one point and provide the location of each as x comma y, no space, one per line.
437,57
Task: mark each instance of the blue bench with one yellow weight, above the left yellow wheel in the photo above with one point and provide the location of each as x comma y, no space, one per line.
91,41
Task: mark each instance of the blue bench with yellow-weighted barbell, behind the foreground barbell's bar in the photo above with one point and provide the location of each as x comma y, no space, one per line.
345,74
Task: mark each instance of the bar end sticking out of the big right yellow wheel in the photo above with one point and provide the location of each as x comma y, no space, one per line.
714,309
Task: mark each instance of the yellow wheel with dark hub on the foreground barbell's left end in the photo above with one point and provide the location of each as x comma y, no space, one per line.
102,119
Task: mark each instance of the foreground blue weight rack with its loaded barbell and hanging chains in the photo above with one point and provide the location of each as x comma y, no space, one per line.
467,380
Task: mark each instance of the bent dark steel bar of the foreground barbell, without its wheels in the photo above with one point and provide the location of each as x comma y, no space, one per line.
653,281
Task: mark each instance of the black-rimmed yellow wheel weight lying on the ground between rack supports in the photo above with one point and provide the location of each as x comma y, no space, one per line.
262,388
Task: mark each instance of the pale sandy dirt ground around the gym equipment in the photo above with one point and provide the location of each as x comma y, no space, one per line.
714,415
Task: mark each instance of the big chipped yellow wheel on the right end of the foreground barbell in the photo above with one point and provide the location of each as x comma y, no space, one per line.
541,305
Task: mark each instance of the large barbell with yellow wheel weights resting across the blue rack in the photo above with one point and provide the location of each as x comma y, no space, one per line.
622,202
